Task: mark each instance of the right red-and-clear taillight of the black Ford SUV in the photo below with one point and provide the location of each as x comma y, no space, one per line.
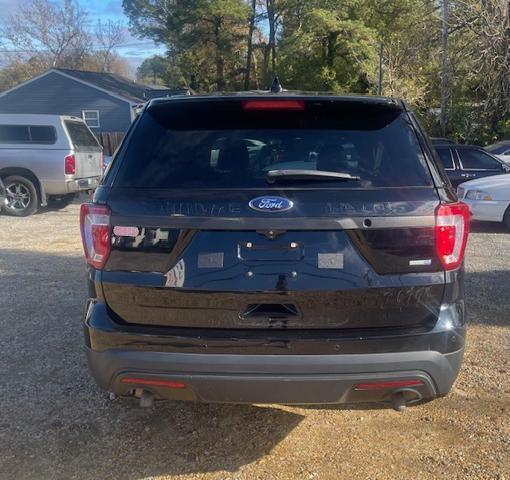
452,227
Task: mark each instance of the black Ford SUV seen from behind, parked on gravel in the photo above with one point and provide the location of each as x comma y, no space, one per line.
275,248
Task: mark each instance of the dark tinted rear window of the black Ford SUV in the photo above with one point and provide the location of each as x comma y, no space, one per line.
217,144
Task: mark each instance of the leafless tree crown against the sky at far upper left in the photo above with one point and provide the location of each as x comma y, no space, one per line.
51,31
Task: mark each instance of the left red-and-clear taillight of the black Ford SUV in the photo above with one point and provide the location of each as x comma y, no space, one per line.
95,233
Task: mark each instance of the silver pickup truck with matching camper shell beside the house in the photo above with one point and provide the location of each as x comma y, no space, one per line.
46,159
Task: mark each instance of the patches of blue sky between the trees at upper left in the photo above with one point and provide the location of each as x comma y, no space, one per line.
134,49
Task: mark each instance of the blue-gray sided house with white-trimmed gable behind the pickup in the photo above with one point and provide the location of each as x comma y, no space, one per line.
105,101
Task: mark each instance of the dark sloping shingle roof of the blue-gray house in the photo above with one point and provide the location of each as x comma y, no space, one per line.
121,86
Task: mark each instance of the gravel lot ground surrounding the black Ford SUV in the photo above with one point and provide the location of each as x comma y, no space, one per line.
56,424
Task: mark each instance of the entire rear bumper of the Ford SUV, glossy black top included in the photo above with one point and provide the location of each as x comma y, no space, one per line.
116,352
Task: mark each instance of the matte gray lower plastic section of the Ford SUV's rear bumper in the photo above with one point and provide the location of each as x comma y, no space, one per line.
289,379
